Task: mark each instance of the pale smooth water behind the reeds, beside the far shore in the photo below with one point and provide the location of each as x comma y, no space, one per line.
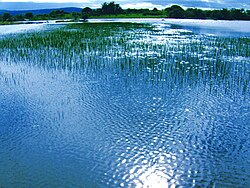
215,27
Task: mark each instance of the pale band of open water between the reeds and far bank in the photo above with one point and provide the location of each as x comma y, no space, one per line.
241,27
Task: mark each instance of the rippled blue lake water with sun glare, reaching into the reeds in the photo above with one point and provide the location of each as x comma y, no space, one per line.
122,126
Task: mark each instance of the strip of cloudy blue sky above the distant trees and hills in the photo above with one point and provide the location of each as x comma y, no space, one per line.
159,4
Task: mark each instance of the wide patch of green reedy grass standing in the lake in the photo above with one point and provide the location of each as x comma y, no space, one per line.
174,57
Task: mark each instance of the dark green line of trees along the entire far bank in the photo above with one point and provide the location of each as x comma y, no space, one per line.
114,9
